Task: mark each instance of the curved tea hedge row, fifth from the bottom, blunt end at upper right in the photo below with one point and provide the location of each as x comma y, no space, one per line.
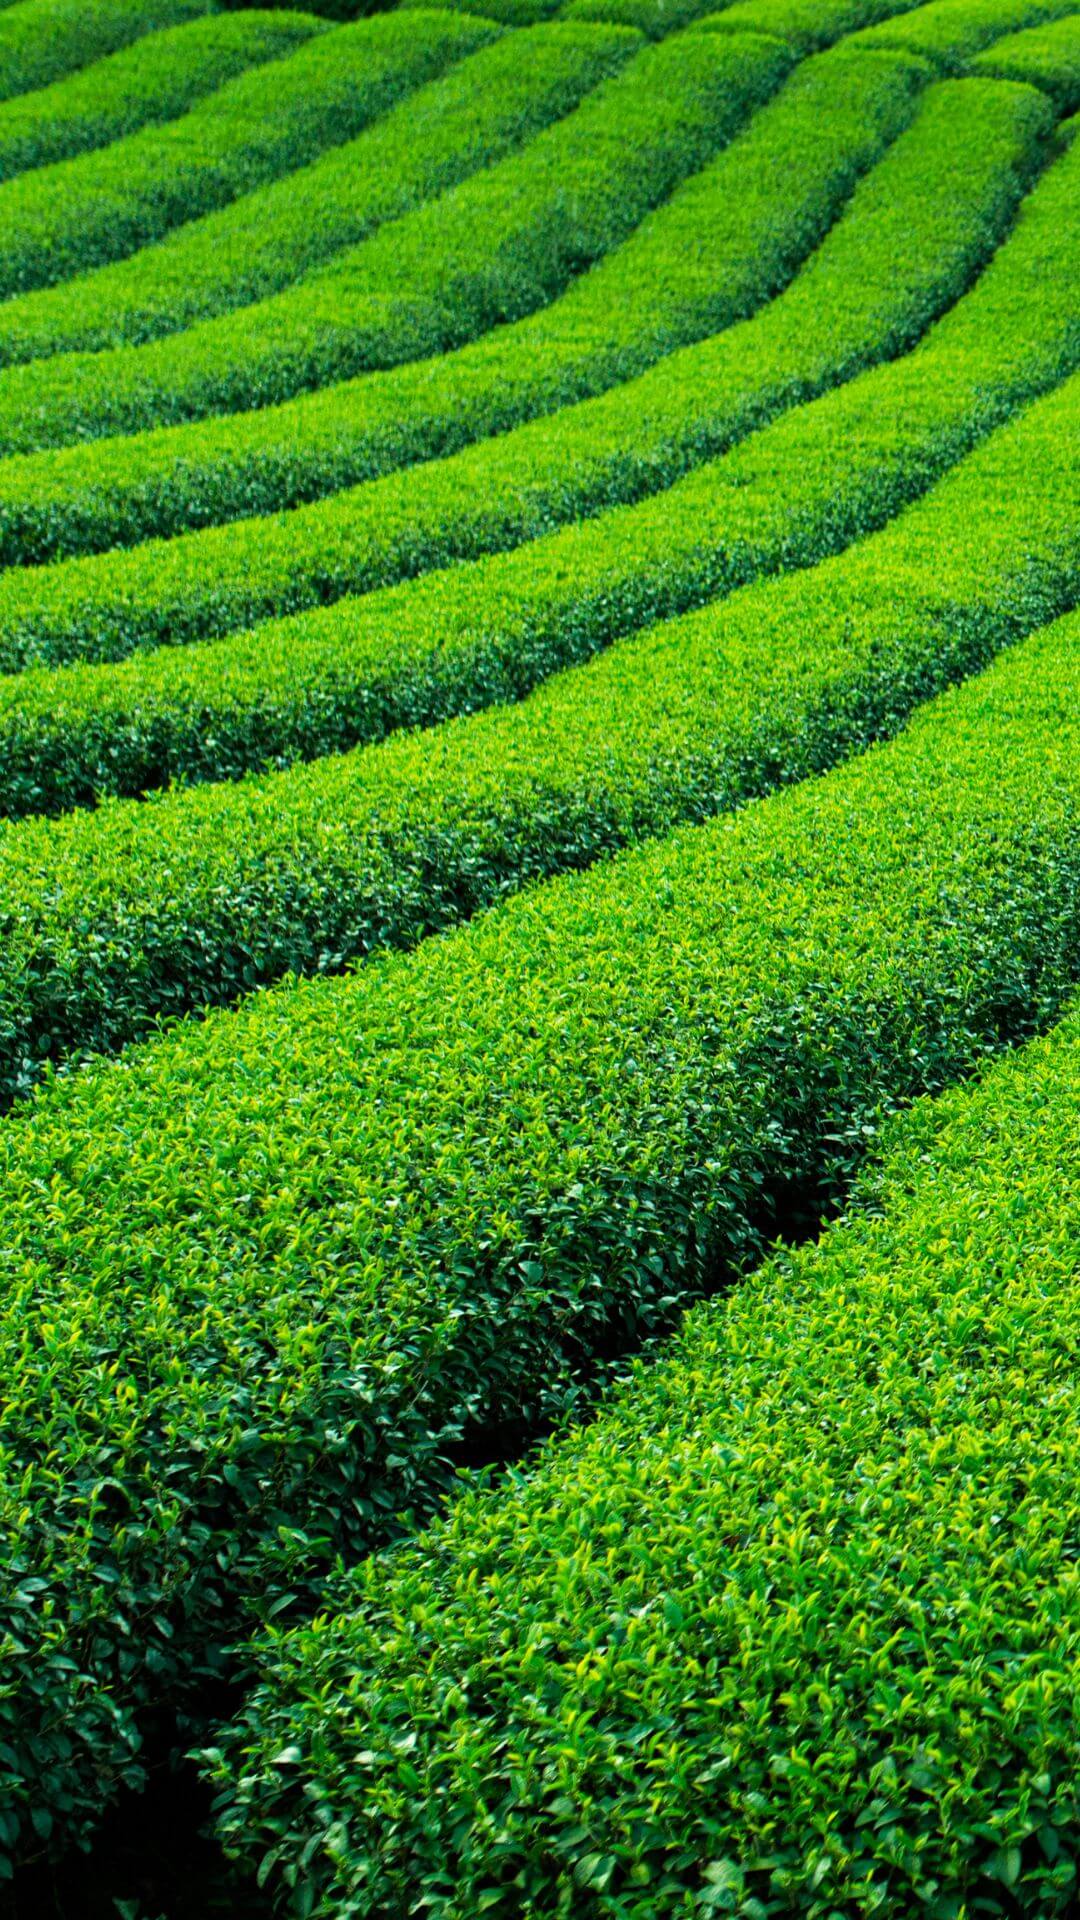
914,237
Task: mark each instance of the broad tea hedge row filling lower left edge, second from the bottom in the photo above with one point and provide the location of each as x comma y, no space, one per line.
274,1268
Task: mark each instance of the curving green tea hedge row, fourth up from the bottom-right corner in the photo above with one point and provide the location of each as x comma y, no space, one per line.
491,631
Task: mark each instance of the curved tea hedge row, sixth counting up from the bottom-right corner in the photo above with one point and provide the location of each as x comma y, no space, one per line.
641,302
